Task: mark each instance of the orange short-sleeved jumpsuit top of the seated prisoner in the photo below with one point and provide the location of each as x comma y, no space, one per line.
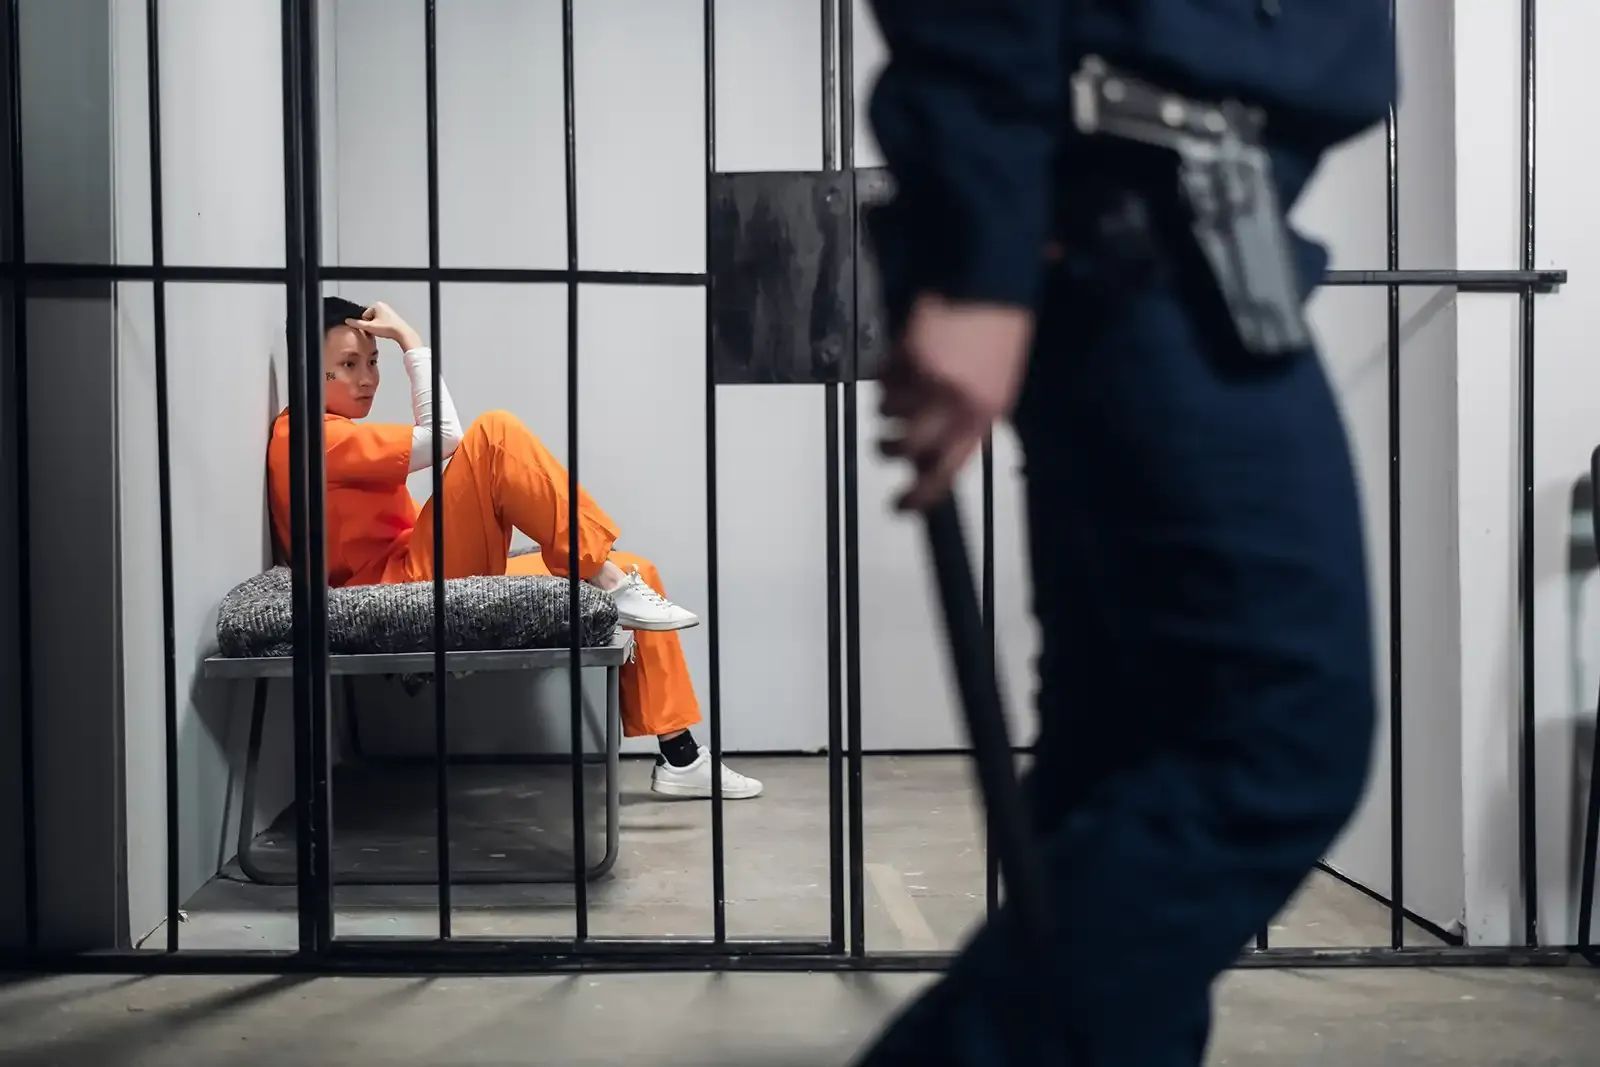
370,513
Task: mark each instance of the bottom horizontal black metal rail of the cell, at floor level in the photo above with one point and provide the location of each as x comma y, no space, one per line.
471,959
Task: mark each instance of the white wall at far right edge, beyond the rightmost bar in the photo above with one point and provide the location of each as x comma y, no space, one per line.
1566,593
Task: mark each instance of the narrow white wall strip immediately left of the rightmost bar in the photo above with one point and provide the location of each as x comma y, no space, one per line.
1489,162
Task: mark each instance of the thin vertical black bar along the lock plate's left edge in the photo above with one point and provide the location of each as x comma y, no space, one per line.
719,879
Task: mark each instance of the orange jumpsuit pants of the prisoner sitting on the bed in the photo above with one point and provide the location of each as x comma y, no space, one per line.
503,478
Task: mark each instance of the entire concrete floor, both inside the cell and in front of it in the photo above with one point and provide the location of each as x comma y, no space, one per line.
924,890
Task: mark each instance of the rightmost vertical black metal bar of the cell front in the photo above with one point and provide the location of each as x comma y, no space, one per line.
1530,767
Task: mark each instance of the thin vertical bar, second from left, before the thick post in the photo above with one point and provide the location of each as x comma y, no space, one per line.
164,466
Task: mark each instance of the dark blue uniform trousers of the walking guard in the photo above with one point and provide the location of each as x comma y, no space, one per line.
1206,684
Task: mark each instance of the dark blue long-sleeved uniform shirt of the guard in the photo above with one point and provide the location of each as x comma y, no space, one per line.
972,111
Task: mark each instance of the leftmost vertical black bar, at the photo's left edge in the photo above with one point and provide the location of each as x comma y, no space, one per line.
20,444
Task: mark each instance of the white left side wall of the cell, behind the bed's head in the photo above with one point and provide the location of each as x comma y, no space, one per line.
223,182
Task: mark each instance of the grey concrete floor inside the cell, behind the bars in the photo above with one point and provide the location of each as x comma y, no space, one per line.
924,863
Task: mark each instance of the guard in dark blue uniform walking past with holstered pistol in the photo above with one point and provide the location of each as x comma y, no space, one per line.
1090,236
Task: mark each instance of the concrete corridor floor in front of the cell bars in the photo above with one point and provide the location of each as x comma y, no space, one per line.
1265,1020
